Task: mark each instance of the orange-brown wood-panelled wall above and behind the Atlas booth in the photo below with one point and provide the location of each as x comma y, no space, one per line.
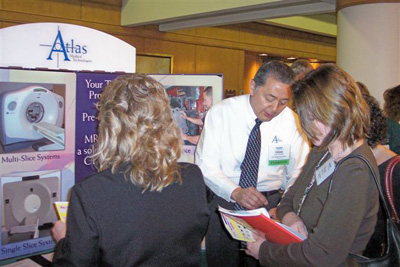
204,50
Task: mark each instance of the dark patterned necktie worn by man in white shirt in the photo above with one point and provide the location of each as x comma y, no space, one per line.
249,167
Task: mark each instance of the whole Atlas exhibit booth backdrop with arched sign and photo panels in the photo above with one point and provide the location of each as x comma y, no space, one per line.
51,77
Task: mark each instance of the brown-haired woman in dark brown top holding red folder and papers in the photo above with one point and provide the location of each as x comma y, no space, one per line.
335,208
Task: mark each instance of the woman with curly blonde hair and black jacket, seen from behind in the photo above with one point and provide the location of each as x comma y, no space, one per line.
143,207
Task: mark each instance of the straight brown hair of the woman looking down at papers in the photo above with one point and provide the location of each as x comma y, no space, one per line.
329,95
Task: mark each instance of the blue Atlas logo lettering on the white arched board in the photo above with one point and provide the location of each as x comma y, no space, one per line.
70,50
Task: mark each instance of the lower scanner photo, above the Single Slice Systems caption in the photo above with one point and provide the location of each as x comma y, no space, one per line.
27,204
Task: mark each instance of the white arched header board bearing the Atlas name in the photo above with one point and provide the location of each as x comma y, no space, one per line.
60,46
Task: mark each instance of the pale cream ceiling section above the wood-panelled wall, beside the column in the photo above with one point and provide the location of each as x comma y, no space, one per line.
315,16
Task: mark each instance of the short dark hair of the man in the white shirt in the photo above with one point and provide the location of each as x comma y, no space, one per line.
275,69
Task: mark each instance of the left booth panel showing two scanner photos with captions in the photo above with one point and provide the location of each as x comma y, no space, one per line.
37,155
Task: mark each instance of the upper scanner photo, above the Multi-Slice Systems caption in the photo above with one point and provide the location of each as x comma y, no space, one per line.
29,114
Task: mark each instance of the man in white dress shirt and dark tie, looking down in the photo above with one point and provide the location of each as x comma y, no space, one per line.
222,147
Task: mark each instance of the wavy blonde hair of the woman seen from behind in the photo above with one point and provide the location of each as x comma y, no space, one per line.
137,133
